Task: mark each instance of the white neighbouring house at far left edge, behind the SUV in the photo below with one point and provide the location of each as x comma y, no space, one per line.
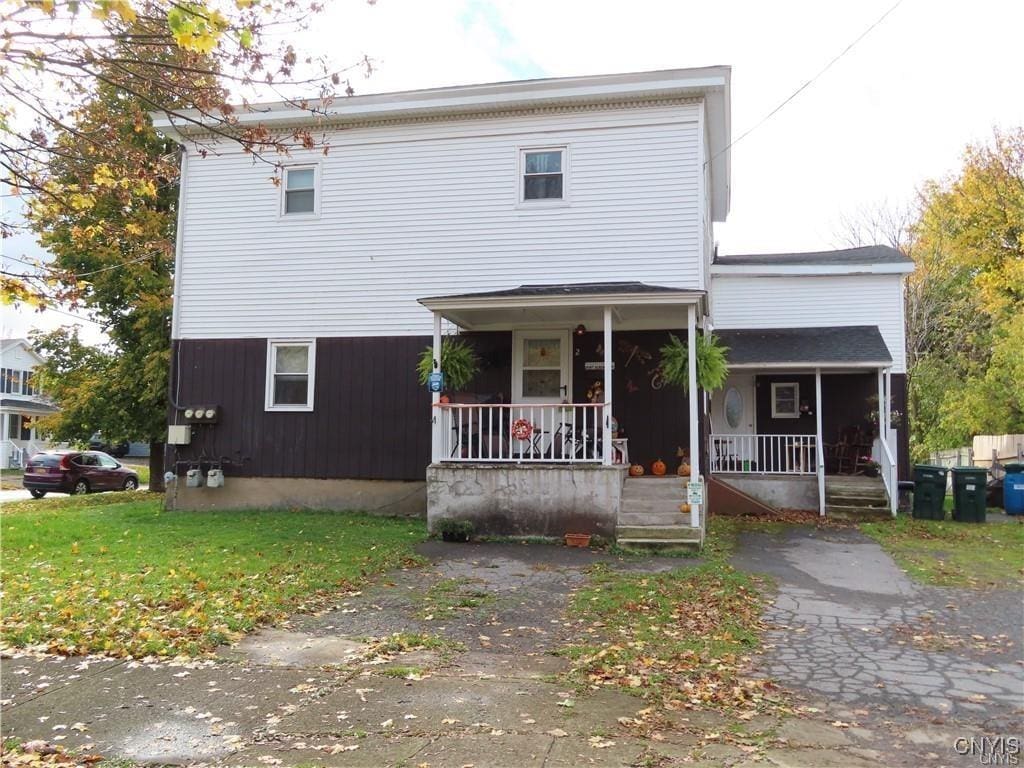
21,404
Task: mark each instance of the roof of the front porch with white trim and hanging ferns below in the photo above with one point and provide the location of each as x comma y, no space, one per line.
635,307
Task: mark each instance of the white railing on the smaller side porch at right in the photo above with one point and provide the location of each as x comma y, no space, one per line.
764,454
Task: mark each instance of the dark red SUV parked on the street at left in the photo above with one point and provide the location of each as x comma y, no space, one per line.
76,473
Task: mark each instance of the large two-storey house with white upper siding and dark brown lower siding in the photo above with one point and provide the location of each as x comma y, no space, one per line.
564,229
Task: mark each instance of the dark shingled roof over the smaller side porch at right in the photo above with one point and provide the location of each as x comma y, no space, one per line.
837,347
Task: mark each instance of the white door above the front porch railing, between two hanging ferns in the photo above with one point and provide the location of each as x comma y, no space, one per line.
541,367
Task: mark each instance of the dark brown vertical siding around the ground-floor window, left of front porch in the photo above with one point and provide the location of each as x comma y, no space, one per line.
371,417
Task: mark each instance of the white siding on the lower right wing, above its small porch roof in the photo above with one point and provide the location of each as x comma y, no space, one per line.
810,302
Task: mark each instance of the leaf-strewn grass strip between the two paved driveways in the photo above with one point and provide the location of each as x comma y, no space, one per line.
682,635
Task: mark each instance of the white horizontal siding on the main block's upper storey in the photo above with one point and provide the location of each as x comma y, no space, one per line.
431,209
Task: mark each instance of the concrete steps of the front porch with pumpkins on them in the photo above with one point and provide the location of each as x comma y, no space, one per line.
650,517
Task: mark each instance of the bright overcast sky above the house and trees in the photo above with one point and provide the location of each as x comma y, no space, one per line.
897,110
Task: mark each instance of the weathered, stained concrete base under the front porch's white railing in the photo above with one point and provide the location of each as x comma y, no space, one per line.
527,500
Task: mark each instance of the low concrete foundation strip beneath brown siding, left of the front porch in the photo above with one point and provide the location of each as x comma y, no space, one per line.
392,498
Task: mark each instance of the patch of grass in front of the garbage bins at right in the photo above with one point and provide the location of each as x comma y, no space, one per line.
955,554
